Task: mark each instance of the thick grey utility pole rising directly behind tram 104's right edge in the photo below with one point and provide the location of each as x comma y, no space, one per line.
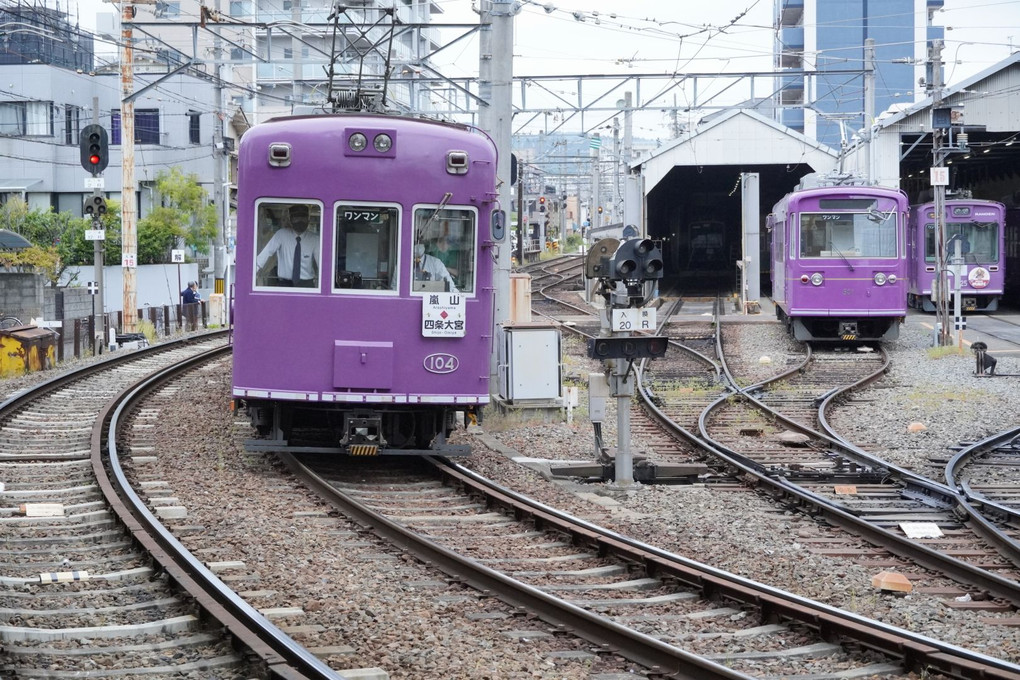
495,83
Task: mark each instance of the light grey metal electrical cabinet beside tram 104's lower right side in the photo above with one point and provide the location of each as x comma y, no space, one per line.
530,365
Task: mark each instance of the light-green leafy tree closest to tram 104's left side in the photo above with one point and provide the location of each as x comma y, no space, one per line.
185,215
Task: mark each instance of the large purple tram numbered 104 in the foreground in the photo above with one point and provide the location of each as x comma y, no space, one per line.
364,303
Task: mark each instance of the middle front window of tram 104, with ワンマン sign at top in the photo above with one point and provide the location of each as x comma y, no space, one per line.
367,247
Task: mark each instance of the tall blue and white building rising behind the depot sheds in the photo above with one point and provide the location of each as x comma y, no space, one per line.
829,38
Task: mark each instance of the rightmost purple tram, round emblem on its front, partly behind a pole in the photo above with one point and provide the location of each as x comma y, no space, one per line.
980,229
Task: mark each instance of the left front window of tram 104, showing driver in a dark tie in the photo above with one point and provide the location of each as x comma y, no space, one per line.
287,245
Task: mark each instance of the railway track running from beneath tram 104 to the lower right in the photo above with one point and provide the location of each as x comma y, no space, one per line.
676,617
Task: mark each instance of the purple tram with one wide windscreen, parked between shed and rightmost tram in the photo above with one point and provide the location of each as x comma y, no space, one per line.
839,261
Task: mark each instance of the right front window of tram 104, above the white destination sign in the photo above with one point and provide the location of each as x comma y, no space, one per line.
449,236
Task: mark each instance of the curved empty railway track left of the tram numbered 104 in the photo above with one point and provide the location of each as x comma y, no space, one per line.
93,586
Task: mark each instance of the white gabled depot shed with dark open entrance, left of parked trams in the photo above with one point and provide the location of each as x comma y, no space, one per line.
693,193
